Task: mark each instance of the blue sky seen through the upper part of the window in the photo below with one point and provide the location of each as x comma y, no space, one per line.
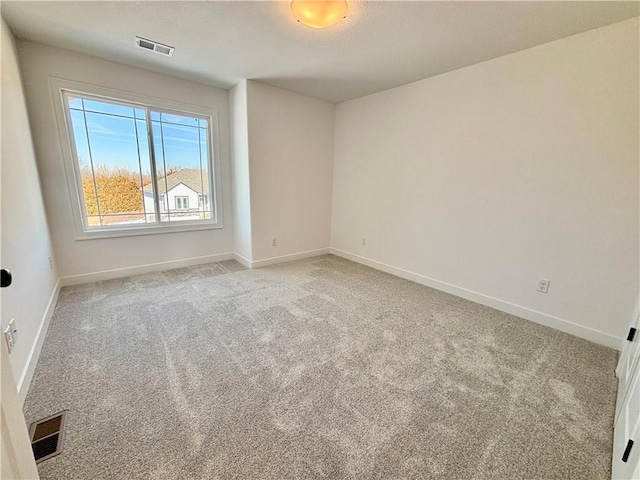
178,140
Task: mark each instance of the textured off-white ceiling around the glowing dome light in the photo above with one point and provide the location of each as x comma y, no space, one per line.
380,45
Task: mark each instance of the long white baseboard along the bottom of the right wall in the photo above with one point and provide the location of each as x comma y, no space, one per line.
561,324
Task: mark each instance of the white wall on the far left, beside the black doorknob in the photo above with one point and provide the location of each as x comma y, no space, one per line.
25,243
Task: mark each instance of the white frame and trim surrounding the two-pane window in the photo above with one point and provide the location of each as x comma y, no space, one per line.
59,87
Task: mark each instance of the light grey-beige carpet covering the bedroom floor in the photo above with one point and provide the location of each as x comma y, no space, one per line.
319,368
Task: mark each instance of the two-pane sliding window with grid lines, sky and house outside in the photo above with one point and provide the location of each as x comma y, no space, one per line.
137,165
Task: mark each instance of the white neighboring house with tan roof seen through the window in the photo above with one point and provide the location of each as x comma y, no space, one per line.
184,191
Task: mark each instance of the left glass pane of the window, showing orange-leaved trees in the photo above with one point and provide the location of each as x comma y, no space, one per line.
114,164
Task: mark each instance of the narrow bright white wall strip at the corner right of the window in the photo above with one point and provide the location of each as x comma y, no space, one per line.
240,168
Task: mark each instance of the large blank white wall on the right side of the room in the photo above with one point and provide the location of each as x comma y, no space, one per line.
483,180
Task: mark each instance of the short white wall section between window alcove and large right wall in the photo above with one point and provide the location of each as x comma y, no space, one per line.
291,165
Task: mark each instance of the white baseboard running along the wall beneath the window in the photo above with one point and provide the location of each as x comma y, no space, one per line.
142,269
